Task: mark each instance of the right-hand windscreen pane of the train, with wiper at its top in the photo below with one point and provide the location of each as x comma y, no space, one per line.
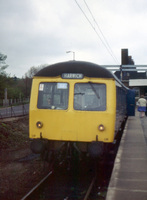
90,96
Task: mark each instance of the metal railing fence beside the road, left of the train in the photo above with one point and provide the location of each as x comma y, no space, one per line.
14,111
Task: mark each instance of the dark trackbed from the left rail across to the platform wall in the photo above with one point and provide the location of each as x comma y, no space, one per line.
84,179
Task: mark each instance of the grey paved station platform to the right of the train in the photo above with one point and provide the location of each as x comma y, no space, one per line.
129,176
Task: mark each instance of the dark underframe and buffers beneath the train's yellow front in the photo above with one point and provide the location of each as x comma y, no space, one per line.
62,150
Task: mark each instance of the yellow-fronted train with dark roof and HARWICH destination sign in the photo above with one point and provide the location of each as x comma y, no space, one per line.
78,104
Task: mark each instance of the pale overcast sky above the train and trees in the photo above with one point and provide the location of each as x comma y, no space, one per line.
36,32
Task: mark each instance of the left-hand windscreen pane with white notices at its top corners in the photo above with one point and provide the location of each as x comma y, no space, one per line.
53,96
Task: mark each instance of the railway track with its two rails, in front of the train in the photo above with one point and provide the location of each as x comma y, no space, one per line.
78,183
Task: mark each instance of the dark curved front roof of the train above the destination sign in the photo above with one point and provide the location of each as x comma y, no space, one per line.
86,68
